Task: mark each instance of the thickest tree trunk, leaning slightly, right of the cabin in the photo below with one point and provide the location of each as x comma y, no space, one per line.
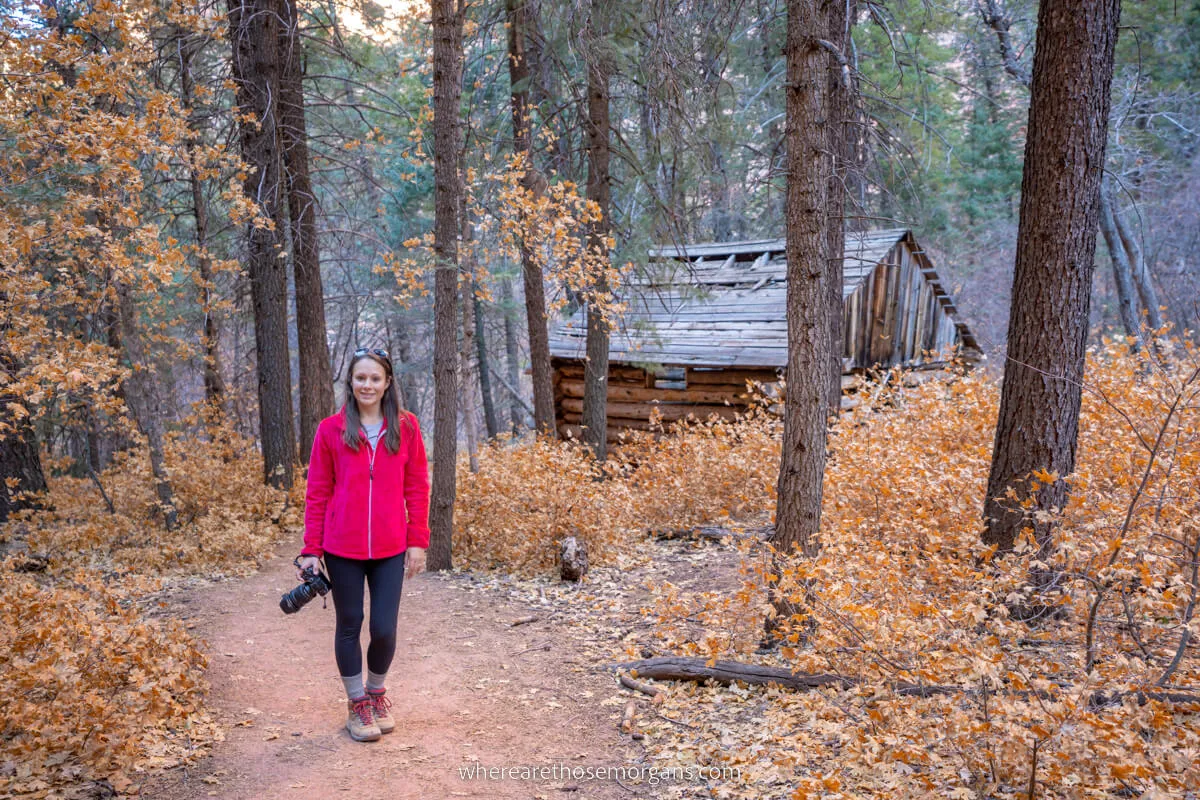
1055,258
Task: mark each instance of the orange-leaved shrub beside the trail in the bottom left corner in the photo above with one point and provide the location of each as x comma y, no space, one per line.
88,689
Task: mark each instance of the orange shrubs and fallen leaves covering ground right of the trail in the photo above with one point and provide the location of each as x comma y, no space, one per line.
947,675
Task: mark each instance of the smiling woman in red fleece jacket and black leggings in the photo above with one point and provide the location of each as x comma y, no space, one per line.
367,513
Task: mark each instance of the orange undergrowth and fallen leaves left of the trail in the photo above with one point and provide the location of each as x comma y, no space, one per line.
97,687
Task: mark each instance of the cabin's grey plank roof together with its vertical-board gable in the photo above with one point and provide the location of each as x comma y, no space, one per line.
724,306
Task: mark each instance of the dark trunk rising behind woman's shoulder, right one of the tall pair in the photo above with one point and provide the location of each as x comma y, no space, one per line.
316,370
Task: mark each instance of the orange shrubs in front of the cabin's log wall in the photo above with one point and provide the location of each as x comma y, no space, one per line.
529,496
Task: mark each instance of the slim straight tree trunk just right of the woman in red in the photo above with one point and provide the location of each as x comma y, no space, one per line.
447,93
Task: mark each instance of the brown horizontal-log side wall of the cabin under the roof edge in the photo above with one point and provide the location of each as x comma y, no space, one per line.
633,396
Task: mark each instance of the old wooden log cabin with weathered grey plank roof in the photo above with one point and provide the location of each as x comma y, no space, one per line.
707,318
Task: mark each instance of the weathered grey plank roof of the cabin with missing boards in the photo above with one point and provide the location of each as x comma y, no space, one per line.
724,305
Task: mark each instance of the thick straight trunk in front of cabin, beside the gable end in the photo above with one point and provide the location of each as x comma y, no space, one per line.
809,170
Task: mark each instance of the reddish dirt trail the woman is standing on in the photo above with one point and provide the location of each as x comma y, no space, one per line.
469,689
